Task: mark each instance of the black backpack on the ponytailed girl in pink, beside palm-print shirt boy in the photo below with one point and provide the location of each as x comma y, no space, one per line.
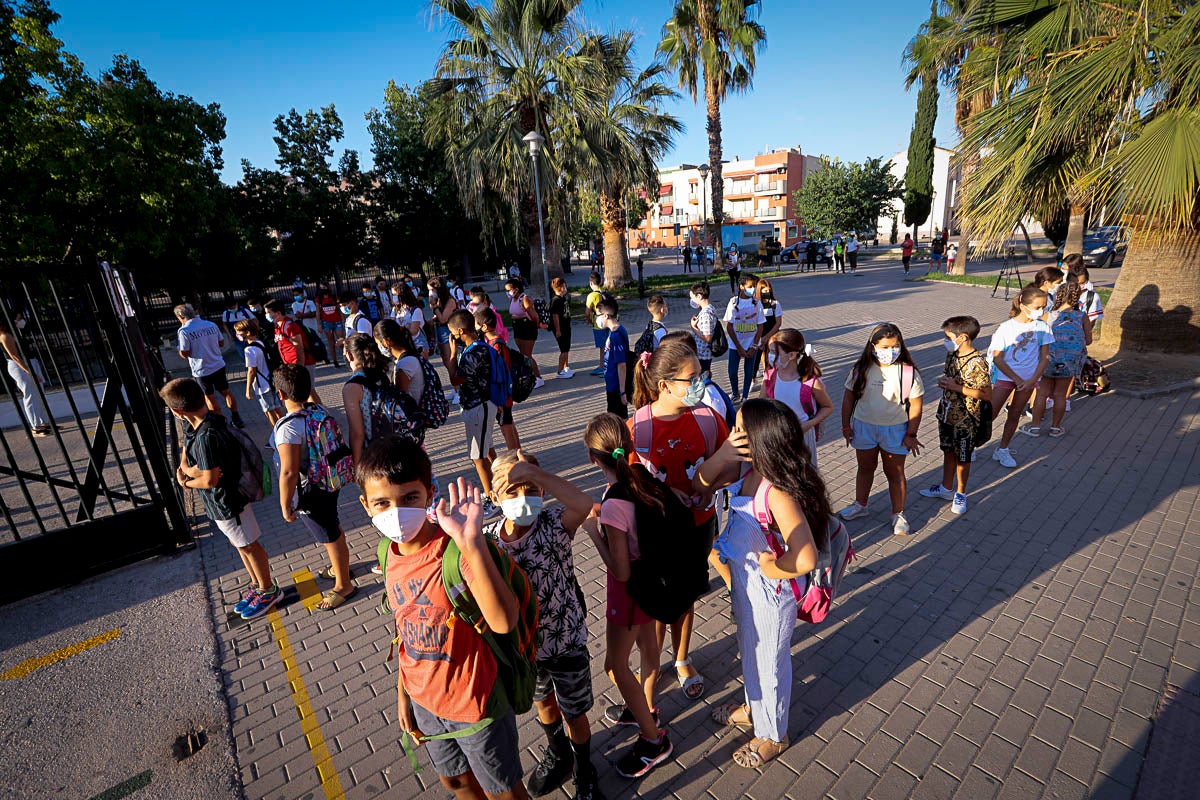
673,572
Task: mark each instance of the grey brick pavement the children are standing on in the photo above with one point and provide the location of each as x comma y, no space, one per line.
1021,651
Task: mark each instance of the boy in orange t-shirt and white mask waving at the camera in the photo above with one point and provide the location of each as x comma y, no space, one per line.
446,672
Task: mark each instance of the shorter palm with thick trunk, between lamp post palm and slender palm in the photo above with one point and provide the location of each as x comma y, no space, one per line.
619,148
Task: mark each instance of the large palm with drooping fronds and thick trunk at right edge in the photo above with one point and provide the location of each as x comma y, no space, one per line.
1108,110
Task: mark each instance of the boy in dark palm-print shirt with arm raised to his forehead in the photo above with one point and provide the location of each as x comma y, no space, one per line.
539,540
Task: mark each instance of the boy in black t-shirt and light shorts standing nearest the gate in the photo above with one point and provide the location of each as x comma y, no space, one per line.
213,465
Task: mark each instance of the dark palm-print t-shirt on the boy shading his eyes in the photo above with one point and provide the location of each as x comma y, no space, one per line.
544,555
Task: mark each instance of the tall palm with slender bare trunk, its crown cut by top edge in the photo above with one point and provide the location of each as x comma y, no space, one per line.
713,43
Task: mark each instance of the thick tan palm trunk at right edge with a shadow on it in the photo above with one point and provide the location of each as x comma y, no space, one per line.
1157,298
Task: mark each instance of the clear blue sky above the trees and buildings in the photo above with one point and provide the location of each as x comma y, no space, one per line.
831,80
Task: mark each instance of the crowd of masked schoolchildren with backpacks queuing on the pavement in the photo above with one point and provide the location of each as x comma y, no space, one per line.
688,450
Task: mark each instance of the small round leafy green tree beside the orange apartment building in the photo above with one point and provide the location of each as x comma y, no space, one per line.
843,197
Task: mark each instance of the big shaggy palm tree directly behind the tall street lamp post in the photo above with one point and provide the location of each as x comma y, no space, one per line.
517,67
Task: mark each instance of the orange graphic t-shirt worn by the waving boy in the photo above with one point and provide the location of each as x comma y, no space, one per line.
448,670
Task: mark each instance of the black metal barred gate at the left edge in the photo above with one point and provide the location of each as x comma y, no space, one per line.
95,490
